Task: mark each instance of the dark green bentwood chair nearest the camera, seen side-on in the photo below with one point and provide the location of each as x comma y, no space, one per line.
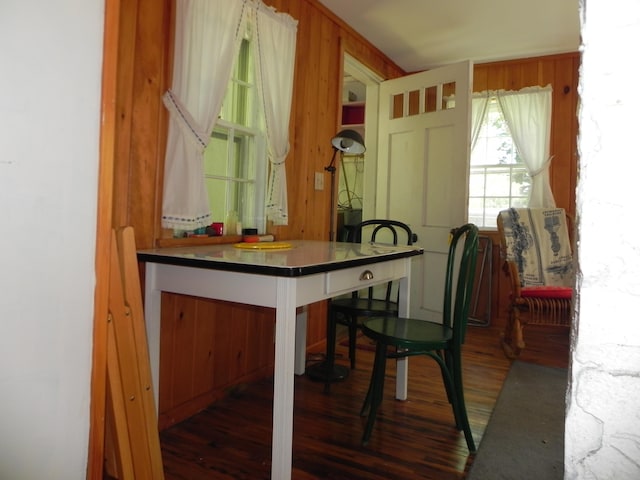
404,337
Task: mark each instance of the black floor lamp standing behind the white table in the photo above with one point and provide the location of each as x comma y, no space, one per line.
351,142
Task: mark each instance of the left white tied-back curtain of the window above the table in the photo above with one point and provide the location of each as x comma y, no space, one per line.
207,41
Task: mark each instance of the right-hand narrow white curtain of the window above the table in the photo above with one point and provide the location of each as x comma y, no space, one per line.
276,47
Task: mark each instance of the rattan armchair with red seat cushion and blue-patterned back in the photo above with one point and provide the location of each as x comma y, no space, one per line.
536,249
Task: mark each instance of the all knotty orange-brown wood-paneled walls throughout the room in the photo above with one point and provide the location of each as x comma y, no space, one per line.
191,374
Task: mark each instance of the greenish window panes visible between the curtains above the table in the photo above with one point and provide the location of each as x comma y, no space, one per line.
235,165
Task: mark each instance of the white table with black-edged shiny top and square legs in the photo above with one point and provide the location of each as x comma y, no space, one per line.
285,276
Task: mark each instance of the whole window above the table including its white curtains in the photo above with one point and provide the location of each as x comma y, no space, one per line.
202,102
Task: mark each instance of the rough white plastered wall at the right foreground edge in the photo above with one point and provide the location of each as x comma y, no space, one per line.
603,418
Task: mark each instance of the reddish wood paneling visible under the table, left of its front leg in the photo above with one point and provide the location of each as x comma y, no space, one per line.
207,348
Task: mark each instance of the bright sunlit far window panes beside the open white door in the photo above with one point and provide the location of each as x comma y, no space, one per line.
498,178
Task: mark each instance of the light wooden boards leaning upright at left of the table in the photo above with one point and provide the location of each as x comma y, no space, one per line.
132,443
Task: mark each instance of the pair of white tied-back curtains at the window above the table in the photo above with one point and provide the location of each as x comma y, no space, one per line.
208,37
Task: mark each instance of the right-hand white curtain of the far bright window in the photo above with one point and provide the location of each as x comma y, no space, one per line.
528,114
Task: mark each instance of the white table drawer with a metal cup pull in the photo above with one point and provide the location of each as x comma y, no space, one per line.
355,278
